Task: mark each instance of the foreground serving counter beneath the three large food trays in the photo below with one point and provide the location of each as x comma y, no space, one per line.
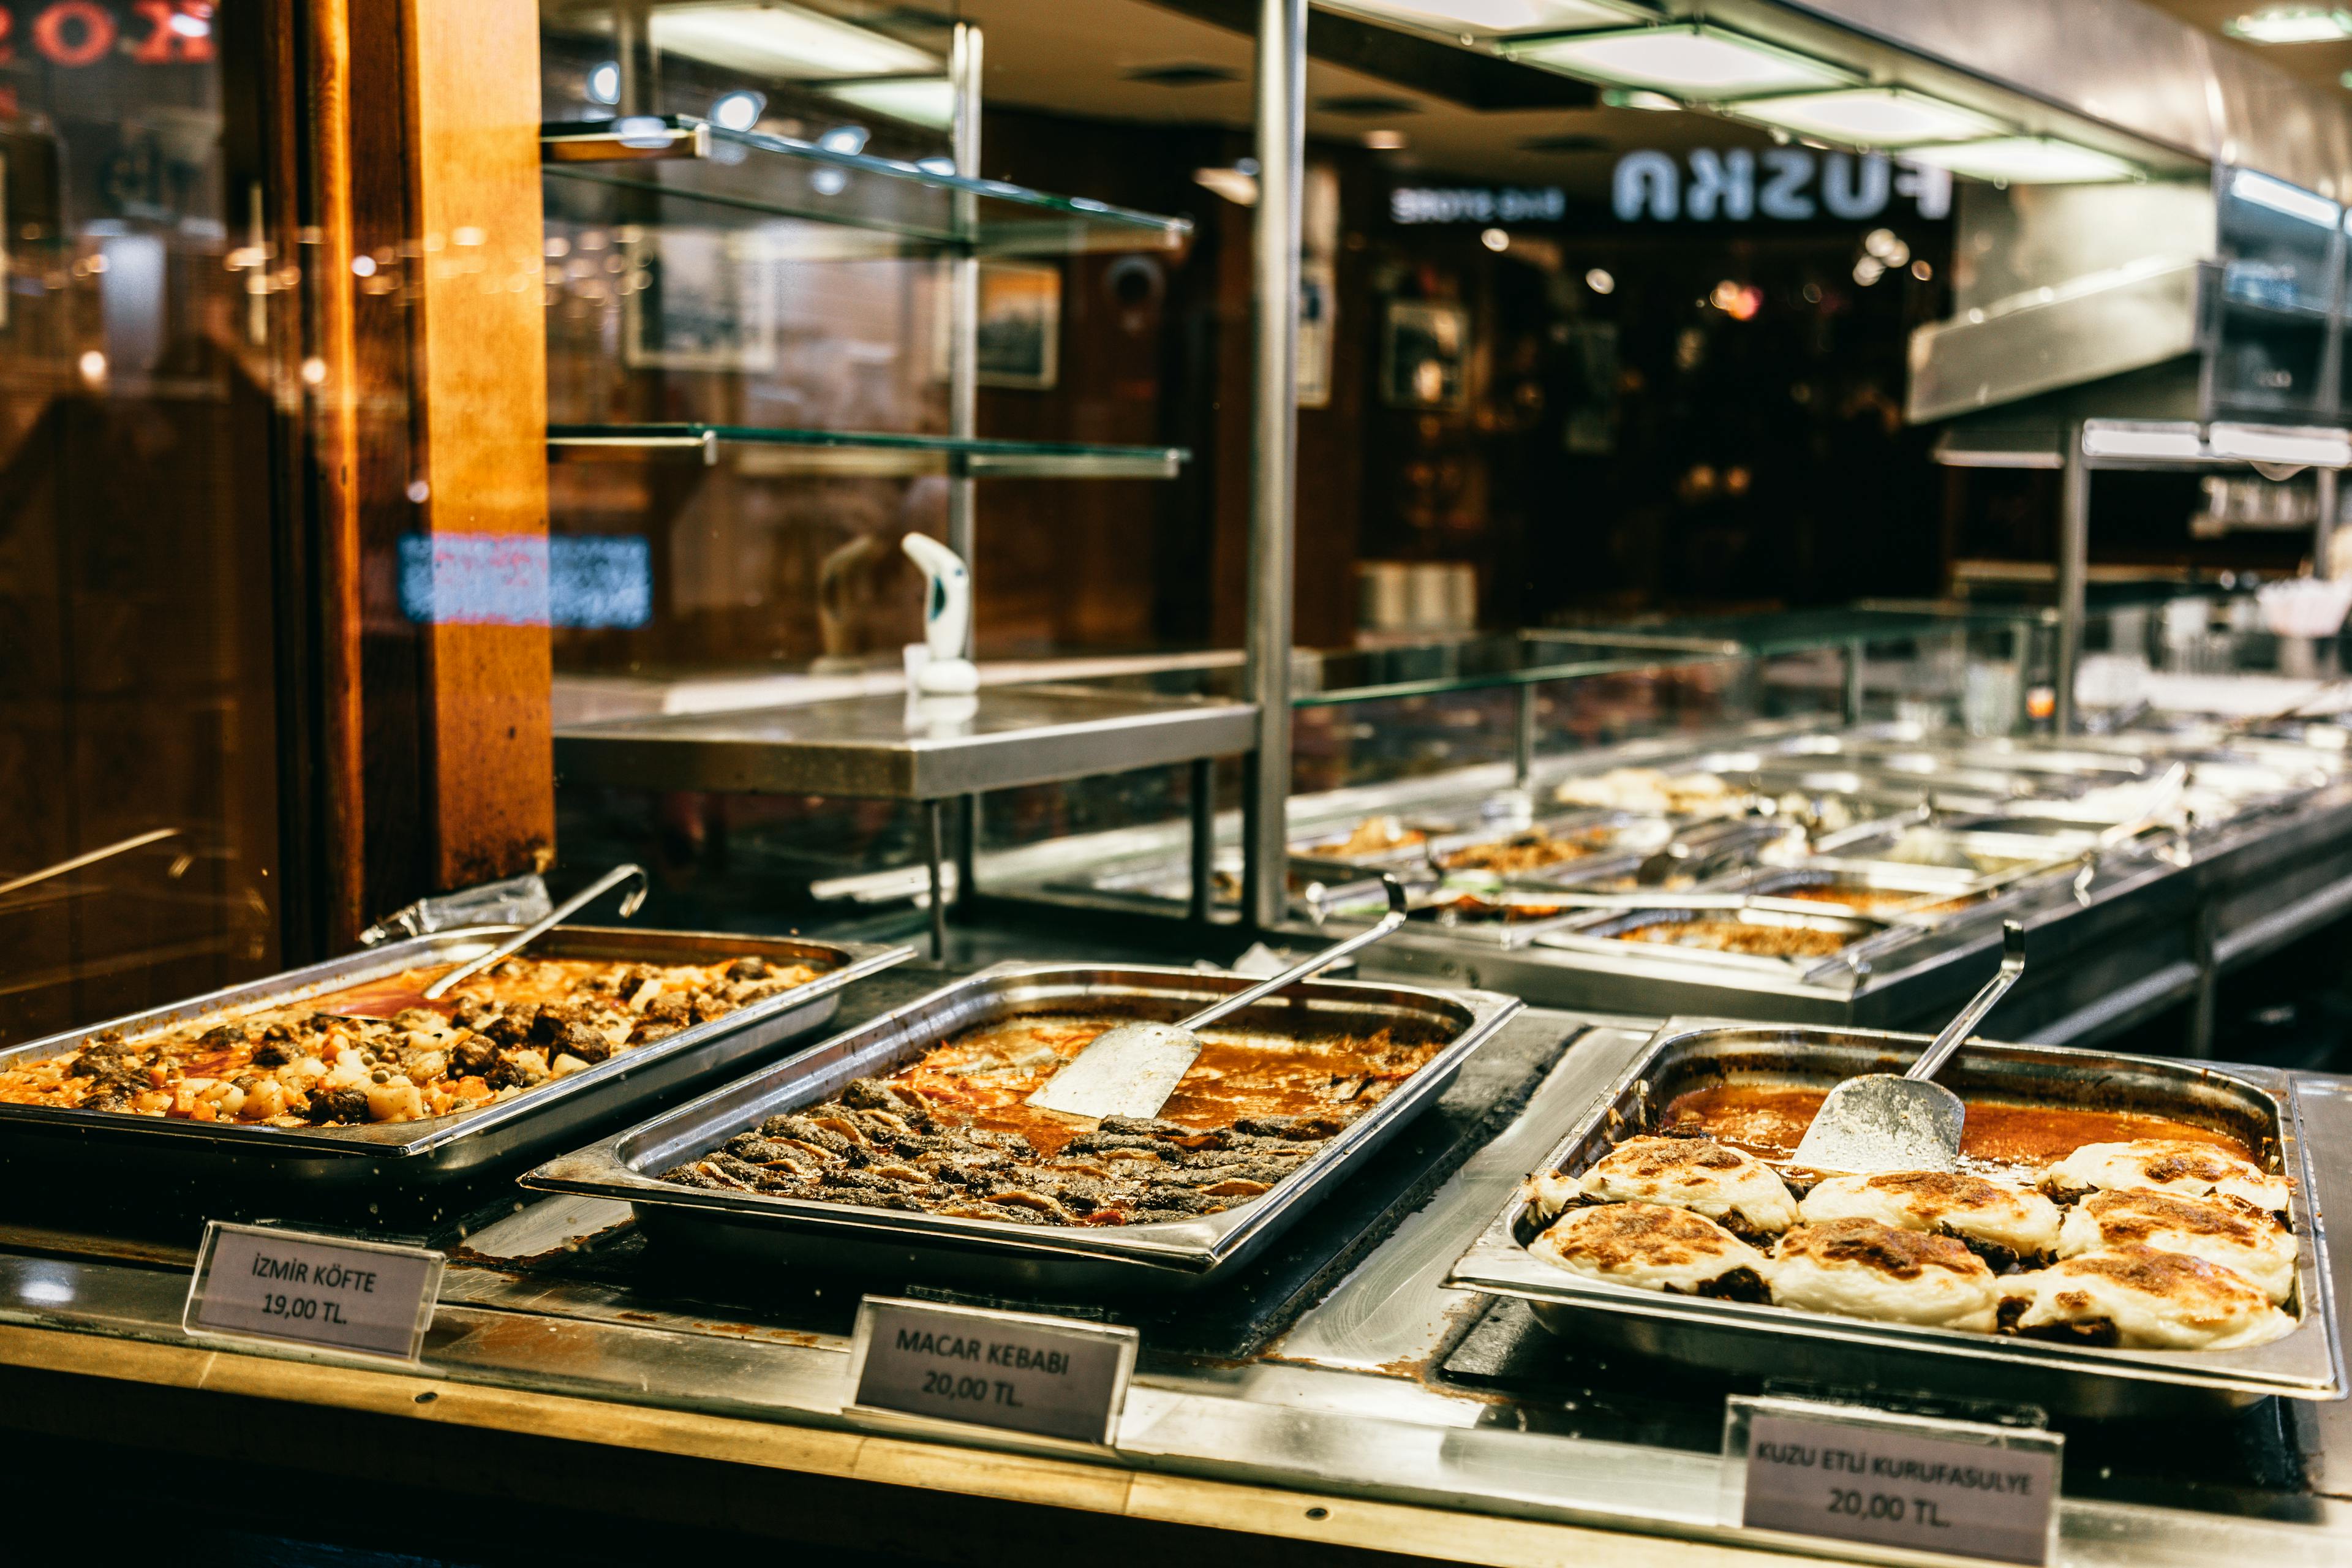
1384,1412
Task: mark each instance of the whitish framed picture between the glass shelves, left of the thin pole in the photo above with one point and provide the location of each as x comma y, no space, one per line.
702,300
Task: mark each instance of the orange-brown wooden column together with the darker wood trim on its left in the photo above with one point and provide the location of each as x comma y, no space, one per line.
429,424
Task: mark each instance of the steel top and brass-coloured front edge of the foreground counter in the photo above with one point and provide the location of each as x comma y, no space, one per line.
1344,1433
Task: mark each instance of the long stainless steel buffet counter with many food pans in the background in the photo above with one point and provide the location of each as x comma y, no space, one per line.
2231,873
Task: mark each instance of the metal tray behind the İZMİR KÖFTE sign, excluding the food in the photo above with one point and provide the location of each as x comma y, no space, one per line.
328,1162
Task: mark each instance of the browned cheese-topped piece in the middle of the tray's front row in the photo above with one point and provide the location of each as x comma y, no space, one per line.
1862,1268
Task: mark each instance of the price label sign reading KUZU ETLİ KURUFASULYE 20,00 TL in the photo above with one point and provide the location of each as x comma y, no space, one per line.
1890,1480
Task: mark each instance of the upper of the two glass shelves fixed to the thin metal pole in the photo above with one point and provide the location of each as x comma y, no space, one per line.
780,177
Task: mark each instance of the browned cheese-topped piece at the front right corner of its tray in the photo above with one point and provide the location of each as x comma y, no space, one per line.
2156,1301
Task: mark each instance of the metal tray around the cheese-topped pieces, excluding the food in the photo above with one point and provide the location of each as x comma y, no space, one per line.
1746,1339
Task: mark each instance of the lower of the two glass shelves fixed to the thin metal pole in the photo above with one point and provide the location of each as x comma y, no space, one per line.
874,455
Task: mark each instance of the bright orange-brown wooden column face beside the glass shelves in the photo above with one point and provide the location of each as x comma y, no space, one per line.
481,431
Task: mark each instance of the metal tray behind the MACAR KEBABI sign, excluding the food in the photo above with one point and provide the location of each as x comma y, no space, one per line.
998,1254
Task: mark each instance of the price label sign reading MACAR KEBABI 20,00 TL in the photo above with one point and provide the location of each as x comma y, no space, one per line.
1017,1372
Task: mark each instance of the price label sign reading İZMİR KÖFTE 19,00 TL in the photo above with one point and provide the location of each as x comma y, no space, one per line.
323,1292
